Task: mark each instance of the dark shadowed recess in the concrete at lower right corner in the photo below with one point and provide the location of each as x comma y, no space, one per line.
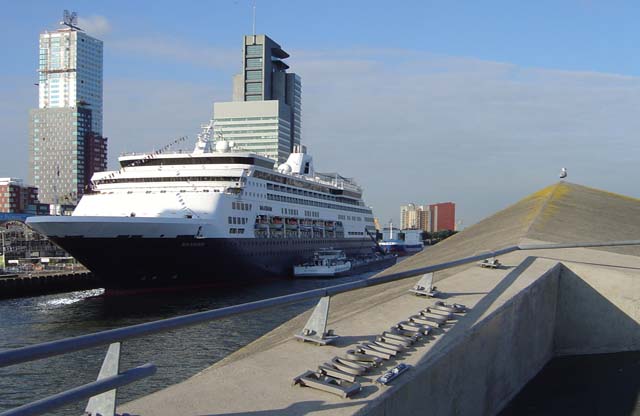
587,384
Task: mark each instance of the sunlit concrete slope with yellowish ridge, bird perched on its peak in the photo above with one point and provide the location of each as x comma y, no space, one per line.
563,212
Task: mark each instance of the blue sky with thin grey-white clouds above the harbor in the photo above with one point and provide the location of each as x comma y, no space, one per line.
446,99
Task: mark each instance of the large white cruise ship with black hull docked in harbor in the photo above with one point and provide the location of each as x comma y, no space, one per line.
216,216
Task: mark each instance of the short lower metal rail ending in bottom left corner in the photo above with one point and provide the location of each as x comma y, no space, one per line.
82,392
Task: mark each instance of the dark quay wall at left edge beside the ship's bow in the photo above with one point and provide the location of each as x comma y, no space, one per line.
20,285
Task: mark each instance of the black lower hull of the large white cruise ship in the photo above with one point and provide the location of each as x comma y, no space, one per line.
162,262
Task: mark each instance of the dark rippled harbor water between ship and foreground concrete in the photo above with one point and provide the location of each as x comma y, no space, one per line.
178,354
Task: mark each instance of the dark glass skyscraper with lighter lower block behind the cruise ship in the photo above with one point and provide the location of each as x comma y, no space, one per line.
265,116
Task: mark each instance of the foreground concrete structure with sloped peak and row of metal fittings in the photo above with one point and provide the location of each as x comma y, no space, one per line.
540,304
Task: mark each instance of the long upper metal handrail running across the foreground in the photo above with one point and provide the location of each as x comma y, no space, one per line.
63,346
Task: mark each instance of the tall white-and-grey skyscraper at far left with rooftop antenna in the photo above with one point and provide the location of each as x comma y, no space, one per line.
65,144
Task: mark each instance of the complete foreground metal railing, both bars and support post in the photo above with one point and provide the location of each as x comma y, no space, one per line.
107,385
